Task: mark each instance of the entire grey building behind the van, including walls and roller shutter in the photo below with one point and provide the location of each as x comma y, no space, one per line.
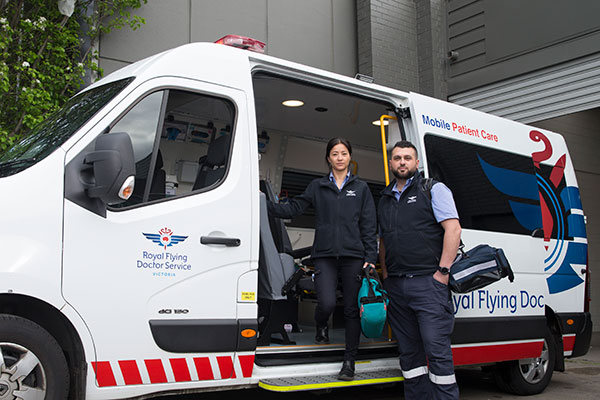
536,61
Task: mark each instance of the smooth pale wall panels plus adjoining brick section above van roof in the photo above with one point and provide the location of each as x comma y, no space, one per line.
401,43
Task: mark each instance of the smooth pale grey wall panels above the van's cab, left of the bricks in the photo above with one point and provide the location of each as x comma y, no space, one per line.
320,33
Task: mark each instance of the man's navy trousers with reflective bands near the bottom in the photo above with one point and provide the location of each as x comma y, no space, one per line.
422,320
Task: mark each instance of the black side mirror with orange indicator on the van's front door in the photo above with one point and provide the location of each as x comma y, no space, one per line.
112,168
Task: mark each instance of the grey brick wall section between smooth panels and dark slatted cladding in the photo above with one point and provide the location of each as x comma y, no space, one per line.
401,44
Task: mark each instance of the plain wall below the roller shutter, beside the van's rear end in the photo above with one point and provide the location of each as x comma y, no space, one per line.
580,130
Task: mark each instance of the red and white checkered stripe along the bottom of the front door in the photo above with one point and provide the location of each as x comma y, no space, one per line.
179,369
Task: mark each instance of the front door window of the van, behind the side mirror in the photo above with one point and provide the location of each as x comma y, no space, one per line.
181,142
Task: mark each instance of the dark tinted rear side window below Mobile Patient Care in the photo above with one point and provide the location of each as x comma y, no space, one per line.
494,190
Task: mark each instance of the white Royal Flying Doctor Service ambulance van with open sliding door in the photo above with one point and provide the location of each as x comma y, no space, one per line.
138,258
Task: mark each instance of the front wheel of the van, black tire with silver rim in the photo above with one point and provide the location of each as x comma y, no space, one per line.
28,351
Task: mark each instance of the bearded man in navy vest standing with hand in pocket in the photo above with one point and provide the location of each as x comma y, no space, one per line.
419,238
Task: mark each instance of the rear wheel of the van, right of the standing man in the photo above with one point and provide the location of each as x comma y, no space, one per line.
528,376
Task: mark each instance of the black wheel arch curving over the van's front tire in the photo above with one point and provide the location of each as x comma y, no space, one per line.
59,326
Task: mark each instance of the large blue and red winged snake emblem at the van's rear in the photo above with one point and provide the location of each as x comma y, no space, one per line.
559,213
